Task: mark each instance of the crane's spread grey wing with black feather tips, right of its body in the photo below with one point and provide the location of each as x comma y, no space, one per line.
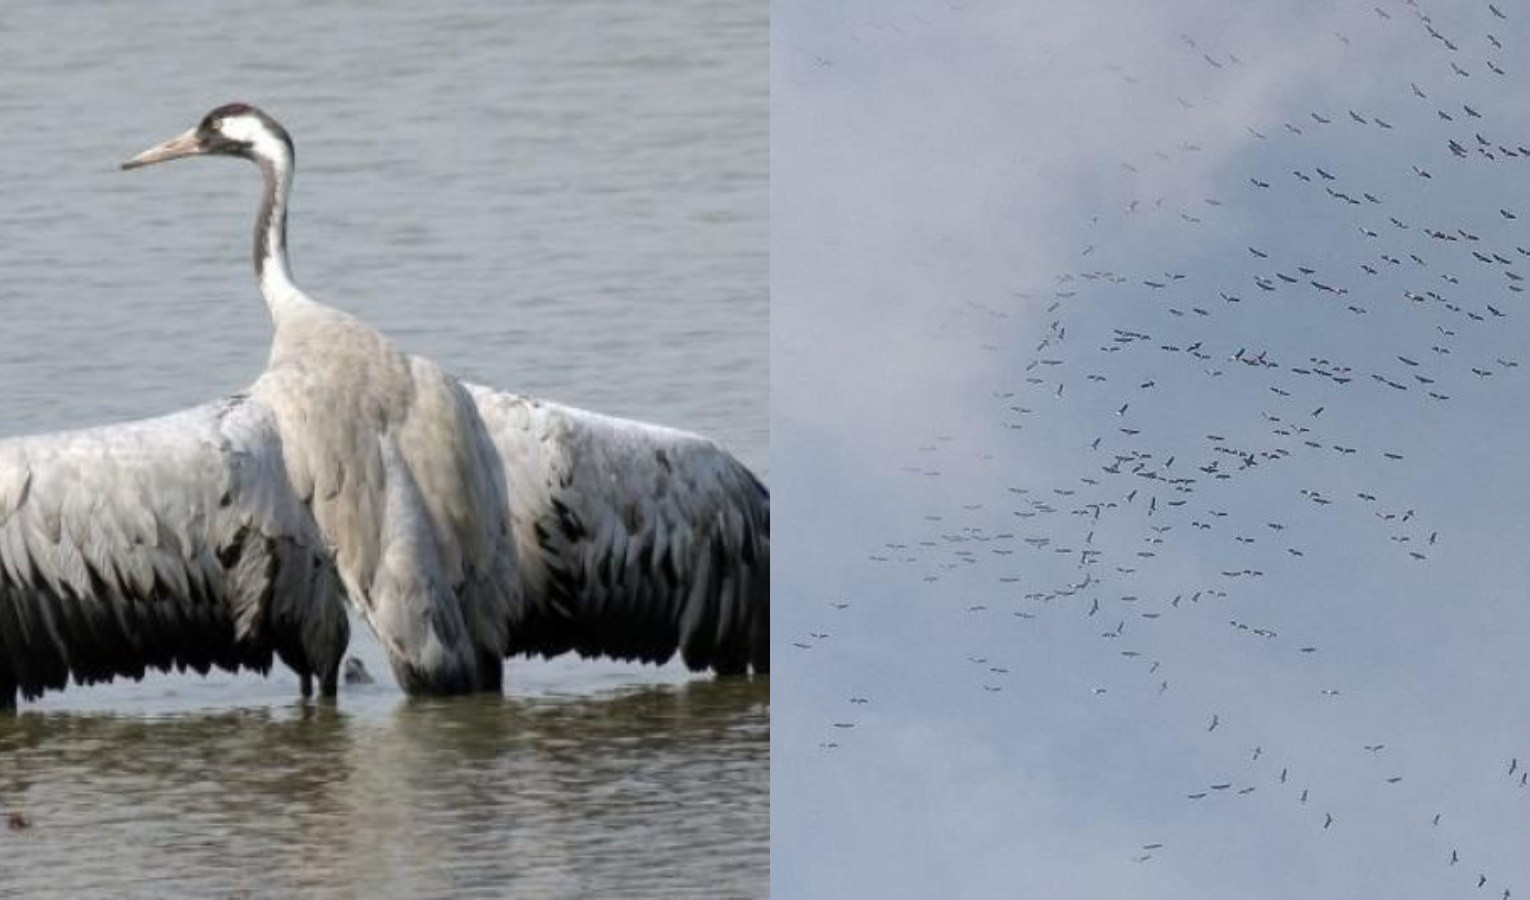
634,541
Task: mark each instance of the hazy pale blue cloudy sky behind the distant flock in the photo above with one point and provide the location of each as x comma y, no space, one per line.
1032,270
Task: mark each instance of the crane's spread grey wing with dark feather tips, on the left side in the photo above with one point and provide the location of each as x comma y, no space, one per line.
171,543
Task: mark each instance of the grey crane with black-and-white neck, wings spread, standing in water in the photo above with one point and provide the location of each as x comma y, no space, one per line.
463,524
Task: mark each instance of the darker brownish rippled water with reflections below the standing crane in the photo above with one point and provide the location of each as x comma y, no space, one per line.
480,797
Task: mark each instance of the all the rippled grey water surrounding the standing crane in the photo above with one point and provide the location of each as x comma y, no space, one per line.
565,200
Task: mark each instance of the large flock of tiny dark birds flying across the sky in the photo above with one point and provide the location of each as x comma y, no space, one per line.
1144,484
